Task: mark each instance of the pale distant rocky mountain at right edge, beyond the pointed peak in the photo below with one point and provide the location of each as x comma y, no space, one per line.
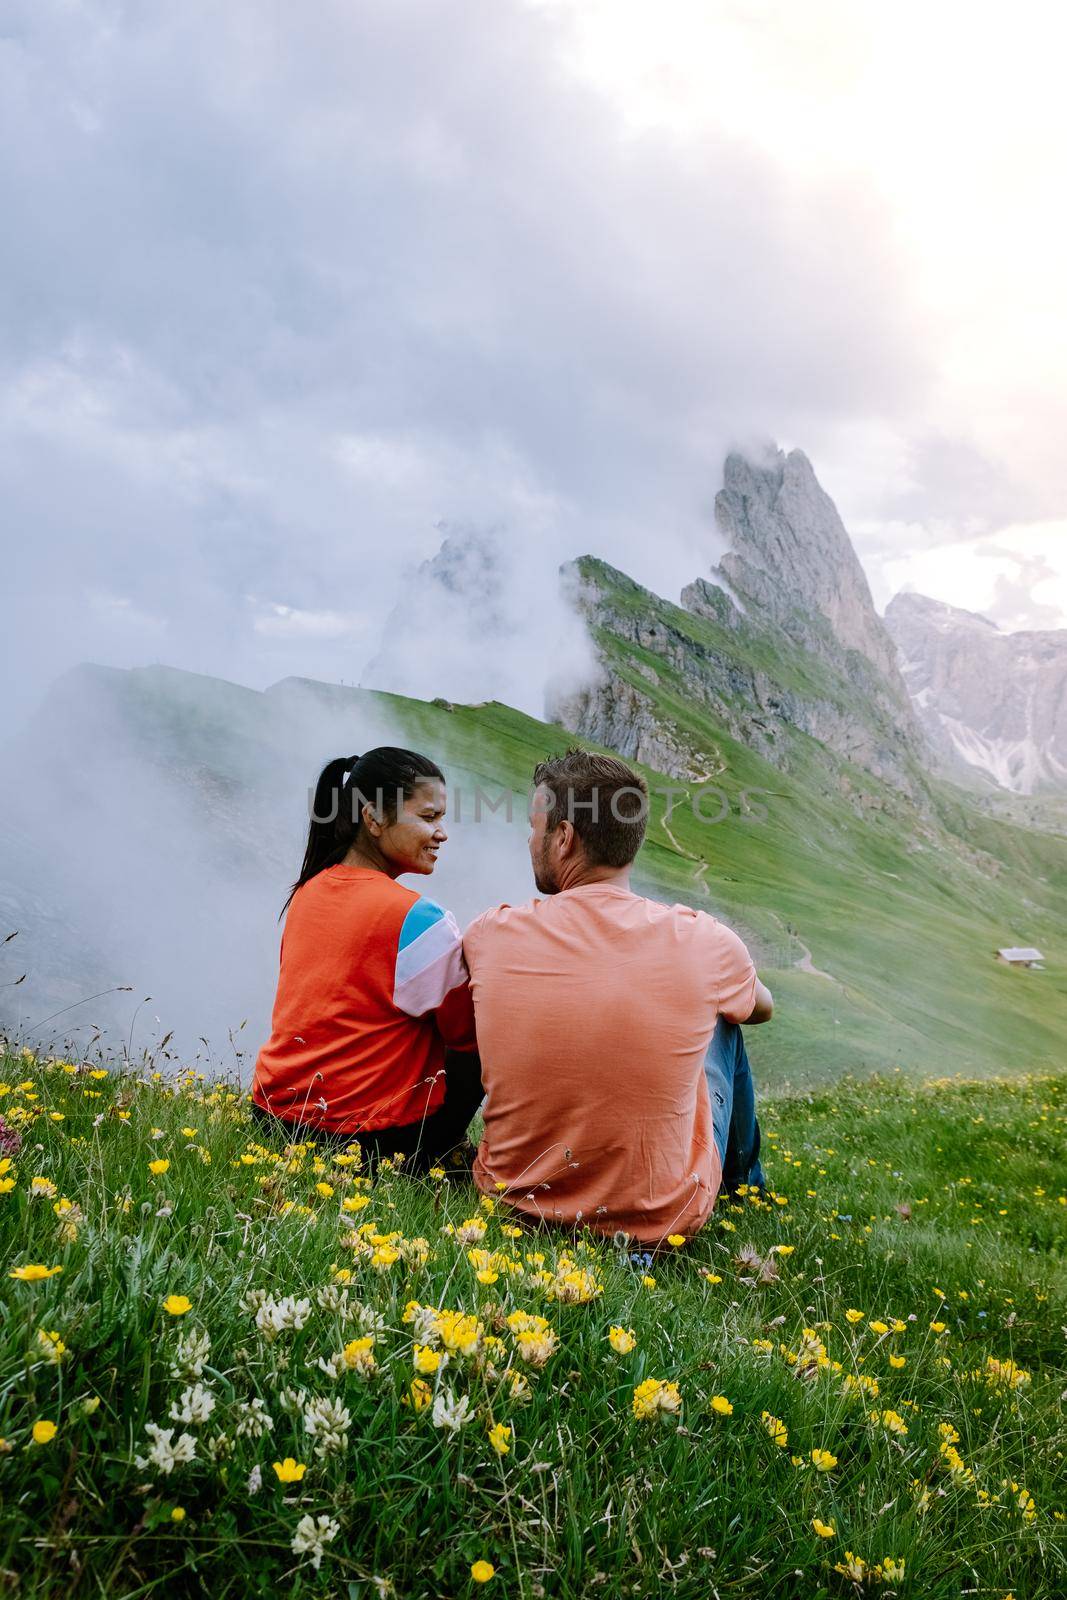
989,702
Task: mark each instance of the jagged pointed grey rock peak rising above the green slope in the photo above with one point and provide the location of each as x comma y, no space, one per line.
783,639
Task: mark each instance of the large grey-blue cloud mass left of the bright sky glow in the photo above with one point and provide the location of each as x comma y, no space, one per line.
284,297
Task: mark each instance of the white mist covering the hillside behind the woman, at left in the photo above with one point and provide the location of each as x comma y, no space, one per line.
148,844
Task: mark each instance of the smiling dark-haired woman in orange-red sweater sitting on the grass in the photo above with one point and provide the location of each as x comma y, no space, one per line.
374,1030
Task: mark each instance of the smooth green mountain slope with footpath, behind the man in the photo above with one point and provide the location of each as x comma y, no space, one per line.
906,935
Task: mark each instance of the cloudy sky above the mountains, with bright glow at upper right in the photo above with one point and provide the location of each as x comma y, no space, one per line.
289,292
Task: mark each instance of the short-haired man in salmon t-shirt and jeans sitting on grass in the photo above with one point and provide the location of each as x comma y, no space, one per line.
618,1086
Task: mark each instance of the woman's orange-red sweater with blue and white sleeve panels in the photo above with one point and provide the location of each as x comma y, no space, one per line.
372,990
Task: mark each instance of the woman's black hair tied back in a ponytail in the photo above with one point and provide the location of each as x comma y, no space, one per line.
383,778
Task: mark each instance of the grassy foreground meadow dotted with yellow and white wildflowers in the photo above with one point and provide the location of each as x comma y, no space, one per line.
244,1369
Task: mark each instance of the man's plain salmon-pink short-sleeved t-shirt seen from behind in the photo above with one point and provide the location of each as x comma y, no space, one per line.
594,1010
